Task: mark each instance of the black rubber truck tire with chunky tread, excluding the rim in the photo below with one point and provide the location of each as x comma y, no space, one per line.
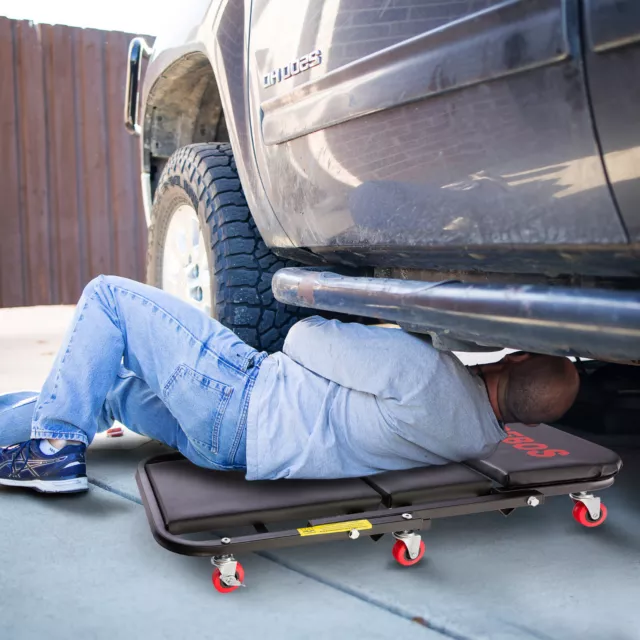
243,264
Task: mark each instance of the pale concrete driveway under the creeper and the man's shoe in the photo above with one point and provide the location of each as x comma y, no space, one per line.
86,566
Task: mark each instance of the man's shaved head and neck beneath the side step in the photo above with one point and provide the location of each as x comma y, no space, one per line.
531,388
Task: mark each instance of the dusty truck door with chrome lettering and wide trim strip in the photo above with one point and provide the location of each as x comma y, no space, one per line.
410,127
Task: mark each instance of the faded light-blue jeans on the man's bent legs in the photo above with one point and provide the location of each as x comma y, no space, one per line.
136,354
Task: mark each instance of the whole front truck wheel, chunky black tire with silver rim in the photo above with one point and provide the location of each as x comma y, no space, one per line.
204,247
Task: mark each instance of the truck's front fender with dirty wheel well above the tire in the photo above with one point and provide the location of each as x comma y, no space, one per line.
211,68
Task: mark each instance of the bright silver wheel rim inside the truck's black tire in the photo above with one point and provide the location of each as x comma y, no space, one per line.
185,263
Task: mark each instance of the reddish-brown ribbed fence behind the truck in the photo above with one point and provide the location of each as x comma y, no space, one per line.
70,202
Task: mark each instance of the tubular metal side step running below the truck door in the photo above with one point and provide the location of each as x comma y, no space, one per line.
592,323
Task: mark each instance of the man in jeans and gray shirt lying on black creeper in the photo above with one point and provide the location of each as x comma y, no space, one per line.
340,400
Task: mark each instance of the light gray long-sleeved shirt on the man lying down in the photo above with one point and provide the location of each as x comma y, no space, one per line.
345,400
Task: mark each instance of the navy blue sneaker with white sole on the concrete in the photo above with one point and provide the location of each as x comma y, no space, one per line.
25,465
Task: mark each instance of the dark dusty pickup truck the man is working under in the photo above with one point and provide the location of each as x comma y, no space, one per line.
466,169
